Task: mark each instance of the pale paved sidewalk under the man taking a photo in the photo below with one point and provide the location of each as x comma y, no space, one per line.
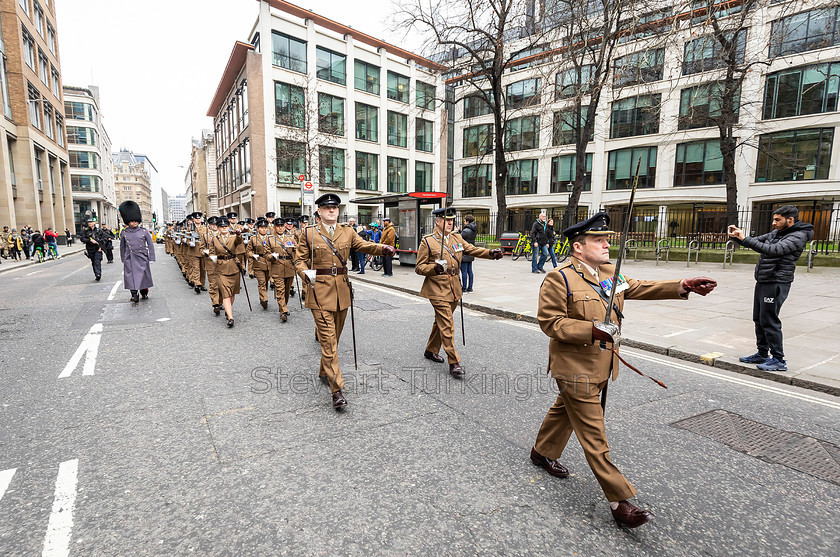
715,330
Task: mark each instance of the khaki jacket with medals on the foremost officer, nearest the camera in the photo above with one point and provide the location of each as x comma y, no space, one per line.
567,309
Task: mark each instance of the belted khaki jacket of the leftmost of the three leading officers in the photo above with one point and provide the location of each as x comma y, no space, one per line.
331,293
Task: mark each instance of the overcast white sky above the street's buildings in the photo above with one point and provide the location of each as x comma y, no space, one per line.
158,62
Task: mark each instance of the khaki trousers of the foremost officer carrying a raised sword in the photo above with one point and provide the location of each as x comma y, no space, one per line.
578,409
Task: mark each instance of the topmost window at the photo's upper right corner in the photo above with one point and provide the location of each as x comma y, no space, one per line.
805,31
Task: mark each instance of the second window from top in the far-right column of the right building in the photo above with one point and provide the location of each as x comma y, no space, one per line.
803,90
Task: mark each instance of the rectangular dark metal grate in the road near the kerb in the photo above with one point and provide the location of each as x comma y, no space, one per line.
809,455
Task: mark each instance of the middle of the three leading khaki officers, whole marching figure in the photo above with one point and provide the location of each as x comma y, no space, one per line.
442,285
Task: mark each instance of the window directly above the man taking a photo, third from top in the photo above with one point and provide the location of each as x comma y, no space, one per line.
794,155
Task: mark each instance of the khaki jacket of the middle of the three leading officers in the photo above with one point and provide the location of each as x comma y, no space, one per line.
444,287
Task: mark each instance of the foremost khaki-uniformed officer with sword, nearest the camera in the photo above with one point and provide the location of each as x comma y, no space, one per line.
572,298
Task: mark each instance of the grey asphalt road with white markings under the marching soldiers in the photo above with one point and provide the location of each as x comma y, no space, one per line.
180,436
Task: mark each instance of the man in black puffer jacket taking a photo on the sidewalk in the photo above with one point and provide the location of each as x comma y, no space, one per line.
779,249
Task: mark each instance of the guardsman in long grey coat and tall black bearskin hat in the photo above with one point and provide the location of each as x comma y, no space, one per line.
137,251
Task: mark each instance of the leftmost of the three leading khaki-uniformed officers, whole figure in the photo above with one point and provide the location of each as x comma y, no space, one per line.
321,260
